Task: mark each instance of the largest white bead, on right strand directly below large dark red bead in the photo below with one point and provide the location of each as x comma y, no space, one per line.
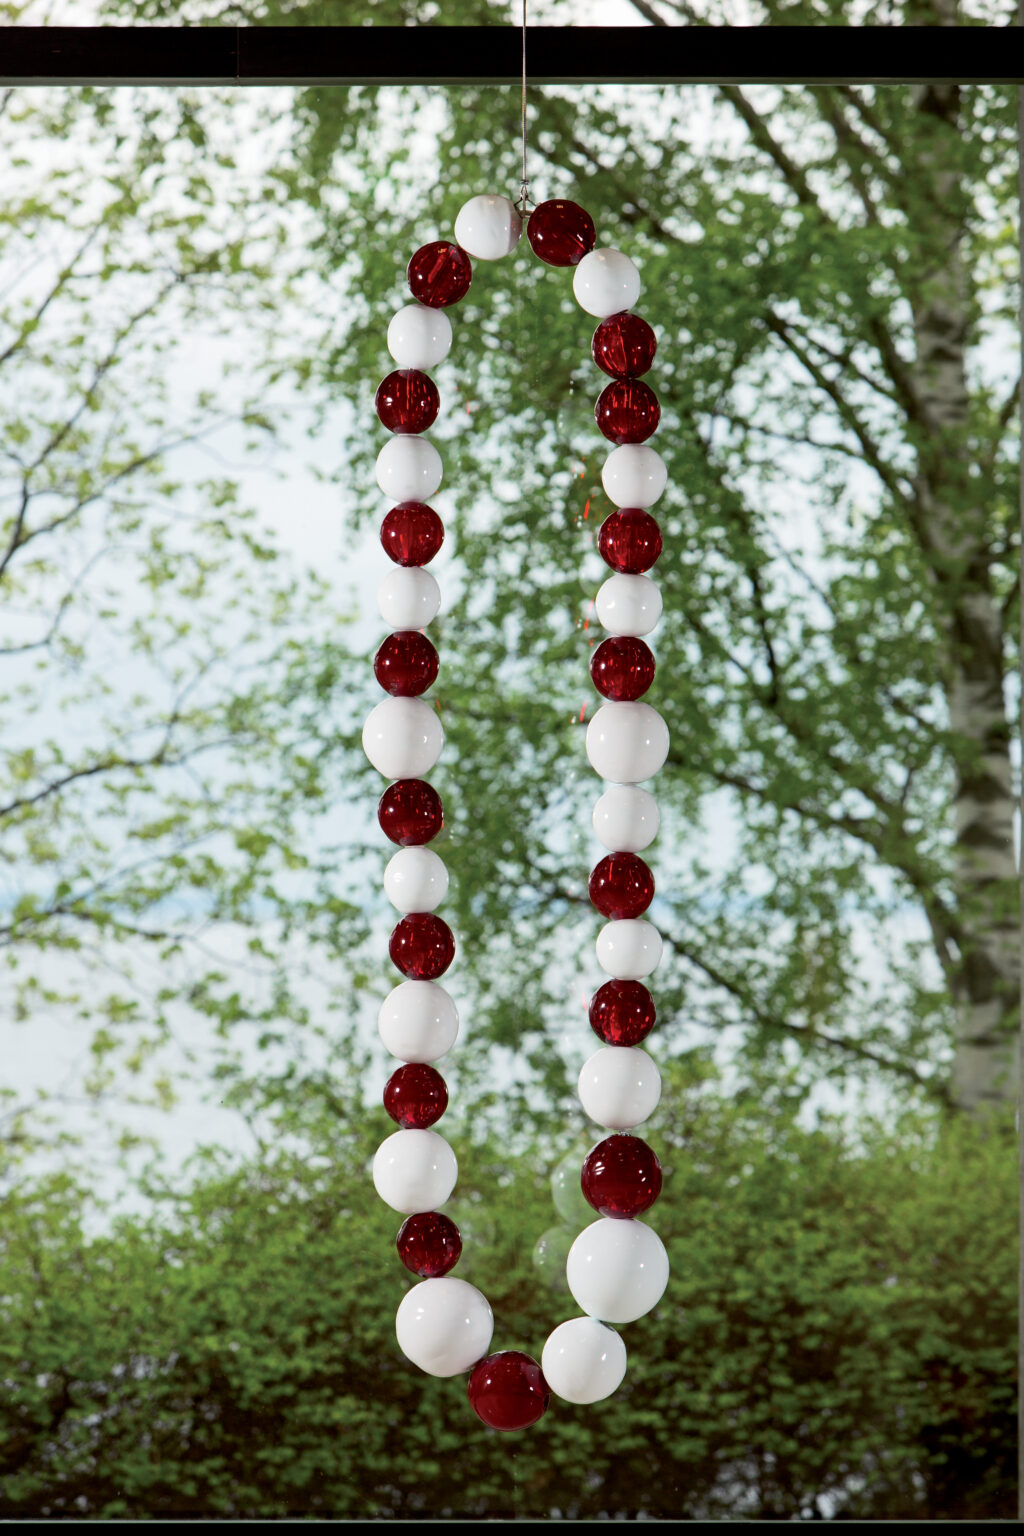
618,1270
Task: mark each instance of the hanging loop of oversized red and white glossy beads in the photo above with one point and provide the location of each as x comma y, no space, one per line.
618,1268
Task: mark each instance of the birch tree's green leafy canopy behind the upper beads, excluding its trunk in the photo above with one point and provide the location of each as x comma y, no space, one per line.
814,881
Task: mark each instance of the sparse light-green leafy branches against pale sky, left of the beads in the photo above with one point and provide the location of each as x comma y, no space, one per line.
170,674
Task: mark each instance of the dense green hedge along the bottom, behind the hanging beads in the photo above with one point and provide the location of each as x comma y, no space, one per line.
836,1337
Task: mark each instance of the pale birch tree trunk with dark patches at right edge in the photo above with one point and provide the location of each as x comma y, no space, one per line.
954,532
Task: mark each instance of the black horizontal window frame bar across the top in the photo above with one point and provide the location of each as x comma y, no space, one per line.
454,56
